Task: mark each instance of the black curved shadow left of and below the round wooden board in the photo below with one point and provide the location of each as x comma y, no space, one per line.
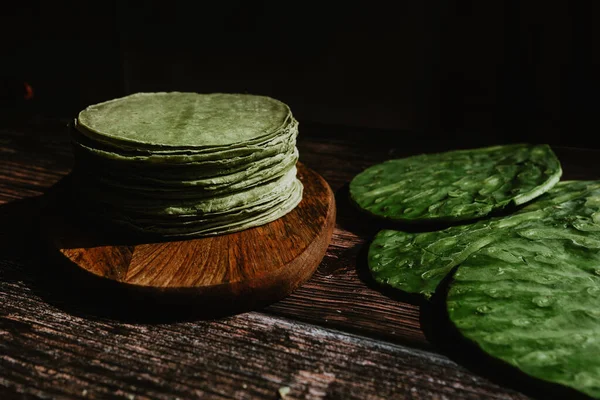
29,259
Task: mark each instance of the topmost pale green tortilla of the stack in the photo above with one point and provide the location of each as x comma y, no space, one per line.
184,120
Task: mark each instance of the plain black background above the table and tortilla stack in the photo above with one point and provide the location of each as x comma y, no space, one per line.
501,70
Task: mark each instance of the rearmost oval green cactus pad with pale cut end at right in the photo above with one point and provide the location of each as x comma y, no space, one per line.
456,185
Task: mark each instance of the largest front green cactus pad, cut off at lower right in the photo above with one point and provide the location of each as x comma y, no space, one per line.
532,297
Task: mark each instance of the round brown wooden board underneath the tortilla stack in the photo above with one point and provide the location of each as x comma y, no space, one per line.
237,271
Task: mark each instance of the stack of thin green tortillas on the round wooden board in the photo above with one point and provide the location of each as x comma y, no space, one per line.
187,164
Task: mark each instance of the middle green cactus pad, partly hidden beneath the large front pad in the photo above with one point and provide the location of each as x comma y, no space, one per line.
417,262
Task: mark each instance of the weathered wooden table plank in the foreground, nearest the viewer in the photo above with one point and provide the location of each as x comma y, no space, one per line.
47,352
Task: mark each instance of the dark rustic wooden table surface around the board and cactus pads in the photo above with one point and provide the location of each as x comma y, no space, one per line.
337,337
